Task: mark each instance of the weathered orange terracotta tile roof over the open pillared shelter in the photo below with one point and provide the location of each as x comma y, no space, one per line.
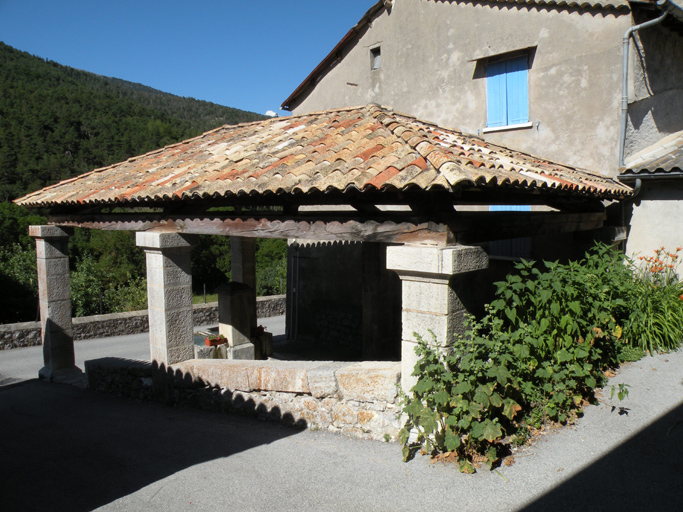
361,149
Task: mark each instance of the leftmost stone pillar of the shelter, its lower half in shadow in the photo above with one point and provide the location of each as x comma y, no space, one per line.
54,292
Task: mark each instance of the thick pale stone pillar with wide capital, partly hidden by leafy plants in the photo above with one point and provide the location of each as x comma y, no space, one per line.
429,301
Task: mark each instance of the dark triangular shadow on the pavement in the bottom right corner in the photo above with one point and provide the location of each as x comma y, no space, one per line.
643,473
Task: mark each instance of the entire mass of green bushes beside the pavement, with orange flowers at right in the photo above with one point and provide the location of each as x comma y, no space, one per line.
540,351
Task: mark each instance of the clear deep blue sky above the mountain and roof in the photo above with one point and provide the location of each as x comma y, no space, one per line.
248,54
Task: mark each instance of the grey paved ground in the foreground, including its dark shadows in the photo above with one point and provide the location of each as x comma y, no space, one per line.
69,449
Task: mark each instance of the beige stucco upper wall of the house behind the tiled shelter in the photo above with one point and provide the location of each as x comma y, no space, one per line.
429,69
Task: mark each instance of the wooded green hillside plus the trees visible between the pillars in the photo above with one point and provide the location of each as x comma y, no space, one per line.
57,122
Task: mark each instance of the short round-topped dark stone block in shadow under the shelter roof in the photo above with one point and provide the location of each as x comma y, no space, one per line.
235,311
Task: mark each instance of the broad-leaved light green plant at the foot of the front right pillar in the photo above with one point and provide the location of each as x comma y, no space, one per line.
464,401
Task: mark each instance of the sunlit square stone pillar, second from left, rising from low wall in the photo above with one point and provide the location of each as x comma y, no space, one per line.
169,295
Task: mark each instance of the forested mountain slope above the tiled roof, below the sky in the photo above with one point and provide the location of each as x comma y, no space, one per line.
57,122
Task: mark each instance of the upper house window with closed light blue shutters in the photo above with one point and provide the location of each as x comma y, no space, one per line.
507,92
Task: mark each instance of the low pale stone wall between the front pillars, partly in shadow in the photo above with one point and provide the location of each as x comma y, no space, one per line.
357,399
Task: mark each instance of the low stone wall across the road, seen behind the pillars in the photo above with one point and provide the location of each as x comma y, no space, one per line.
118,324
